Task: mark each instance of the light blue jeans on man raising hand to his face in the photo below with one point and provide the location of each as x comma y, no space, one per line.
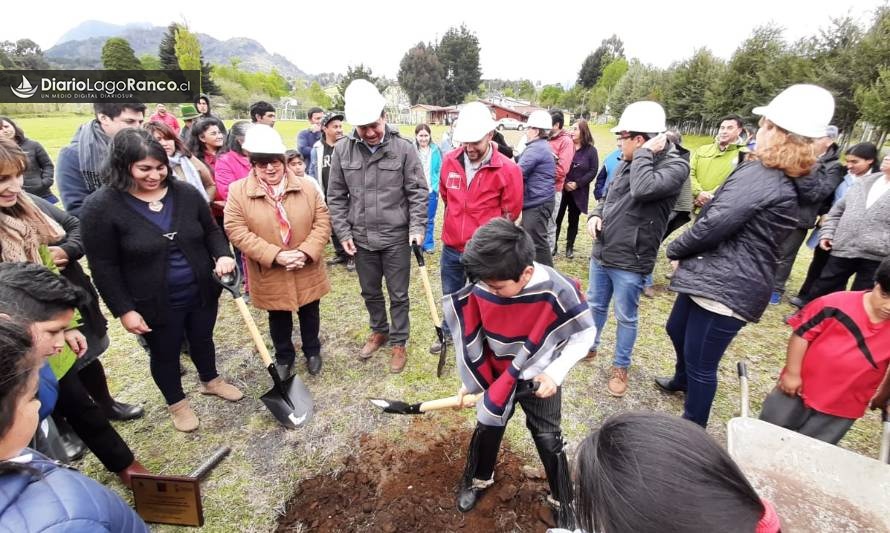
626,287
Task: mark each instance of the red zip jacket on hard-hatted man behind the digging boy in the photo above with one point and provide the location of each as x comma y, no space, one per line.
495,191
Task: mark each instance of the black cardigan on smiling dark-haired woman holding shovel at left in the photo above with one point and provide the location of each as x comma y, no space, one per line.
128,254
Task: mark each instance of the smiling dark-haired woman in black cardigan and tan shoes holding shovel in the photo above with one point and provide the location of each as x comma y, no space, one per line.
152,246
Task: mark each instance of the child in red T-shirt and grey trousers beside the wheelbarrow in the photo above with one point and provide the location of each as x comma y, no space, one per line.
836,364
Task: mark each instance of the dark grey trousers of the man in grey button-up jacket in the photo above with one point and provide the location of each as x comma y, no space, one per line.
394,264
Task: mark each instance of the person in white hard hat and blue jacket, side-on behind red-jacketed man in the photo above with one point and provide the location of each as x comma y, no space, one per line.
538,164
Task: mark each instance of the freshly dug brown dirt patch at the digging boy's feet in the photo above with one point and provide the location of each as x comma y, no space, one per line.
411,485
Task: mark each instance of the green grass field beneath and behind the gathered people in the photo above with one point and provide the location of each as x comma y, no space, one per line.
248,490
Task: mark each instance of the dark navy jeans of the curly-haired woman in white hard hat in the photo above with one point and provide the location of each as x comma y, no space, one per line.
700,338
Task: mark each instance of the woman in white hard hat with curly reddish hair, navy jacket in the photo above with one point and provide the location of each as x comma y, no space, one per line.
727,260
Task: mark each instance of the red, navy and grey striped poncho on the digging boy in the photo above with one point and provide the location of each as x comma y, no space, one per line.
497,338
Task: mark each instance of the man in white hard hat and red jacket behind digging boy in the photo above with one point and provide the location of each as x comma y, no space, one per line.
478,183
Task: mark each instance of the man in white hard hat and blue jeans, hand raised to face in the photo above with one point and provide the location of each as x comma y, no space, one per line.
627,227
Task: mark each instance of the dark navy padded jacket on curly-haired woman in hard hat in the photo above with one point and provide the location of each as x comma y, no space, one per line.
731,253
